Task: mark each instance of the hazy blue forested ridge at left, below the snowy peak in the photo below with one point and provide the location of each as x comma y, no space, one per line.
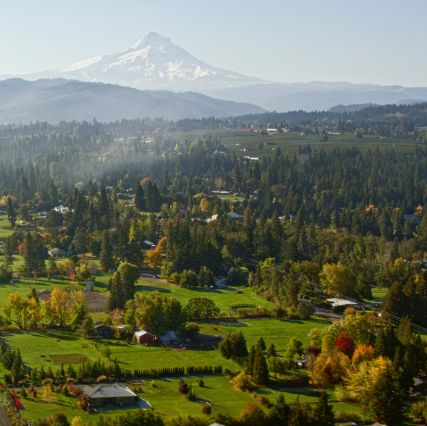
55,100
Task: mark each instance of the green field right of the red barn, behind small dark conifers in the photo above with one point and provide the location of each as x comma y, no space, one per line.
272,331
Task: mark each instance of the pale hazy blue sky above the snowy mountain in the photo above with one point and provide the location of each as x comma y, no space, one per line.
362,41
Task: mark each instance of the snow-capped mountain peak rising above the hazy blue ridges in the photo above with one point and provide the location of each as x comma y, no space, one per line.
153,63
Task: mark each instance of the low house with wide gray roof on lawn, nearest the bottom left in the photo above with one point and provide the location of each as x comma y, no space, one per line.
109,394
